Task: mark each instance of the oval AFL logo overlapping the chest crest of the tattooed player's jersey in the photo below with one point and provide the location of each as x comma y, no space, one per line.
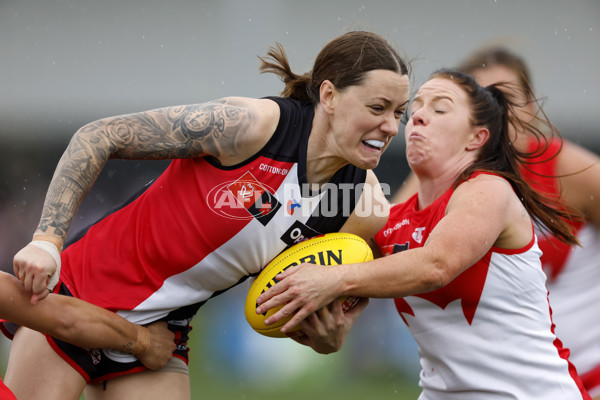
244,199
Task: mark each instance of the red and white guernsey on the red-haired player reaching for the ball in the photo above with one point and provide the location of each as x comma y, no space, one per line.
488,333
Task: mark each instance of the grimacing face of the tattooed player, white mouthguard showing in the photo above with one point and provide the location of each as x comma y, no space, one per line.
367,117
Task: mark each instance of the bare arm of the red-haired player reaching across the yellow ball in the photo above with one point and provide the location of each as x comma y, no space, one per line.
456,243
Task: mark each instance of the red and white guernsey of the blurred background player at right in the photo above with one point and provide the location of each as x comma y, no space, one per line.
573,277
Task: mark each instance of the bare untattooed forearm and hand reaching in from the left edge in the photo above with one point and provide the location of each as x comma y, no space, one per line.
85,325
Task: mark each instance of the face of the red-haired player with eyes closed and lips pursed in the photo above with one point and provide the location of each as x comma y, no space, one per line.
439,134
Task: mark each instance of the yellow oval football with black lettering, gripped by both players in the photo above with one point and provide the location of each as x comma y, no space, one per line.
330,249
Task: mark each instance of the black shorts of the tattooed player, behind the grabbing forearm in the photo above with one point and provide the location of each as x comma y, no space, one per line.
97,365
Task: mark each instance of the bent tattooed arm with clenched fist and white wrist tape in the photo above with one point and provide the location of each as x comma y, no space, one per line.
230,129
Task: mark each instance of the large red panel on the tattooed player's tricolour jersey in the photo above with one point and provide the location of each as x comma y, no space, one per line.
163,232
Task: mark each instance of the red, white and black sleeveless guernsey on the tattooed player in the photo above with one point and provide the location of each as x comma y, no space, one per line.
201,228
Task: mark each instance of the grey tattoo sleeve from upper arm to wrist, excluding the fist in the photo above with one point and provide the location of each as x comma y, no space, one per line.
216,128
